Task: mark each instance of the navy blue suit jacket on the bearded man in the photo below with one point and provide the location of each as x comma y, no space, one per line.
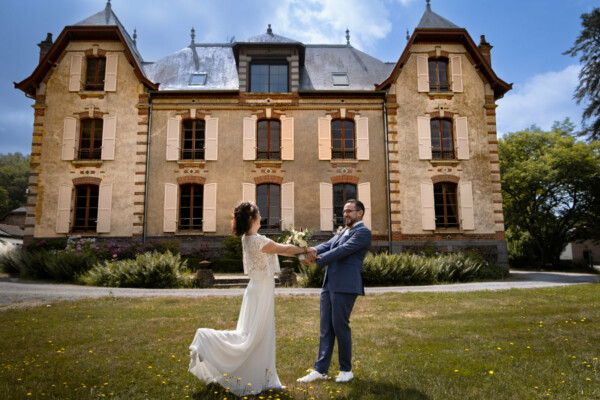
343,256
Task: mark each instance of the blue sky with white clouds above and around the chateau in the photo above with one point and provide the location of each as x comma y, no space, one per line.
529,37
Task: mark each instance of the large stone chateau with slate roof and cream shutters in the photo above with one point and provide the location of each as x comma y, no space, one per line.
126,149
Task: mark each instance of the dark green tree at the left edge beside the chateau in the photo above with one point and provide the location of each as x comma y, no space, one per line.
14,175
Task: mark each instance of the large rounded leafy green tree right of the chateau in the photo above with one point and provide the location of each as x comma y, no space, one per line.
550,189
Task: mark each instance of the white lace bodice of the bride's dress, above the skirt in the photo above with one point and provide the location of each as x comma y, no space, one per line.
256,263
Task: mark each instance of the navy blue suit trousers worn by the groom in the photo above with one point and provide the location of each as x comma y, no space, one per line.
335,323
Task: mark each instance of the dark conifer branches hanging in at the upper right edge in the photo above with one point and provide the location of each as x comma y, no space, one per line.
588,44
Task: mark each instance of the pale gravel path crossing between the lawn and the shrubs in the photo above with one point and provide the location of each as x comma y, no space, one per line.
16,292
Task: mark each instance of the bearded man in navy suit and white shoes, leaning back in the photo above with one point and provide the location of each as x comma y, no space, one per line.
343,255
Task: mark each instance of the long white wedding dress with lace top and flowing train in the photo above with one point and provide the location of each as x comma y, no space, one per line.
243,360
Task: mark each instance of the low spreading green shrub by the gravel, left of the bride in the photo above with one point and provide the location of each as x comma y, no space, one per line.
148,270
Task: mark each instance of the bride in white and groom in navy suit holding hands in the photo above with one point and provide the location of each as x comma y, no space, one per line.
243,360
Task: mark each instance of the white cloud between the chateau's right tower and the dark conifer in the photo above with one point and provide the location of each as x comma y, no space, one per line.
541,100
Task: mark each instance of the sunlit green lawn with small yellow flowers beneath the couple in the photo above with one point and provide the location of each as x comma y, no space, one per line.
514,344
